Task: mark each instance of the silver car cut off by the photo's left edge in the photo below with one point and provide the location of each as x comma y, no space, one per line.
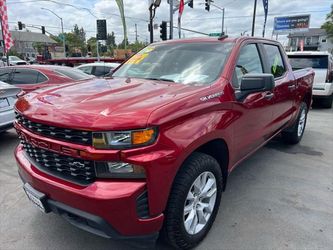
7,101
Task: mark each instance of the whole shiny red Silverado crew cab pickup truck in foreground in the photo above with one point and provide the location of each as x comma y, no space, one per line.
152,147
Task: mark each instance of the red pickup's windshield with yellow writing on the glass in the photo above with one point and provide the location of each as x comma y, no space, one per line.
186,63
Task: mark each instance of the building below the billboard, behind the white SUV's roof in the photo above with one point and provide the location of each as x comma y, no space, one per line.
315,39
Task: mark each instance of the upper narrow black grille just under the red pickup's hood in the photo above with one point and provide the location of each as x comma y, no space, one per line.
68,135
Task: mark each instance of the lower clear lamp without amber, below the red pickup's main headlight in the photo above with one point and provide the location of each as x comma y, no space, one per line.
119,170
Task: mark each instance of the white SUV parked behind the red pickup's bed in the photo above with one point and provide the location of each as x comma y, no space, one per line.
322,63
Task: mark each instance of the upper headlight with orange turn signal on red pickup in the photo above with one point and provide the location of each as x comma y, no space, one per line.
124,139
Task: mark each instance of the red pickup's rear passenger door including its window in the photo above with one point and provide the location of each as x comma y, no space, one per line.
285,85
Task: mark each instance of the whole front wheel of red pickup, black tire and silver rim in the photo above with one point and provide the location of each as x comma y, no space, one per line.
194,201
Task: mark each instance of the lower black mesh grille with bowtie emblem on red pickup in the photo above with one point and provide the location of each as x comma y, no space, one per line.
65,167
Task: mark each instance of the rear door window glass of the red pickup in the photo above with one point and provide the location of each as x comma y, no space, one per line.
275,61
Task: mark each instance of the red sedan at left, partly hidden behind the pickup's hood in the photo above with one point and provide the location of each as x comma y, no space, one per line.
32,77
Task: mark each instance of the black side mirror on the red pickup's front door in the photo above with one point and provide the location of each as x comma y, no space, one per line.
253,83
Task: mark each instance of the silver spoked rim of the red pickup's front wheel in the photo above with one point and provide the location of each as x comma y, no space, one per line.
199,203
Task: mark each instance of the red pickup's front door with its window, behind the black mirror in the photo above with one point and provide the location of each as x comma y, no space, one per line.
253,125
